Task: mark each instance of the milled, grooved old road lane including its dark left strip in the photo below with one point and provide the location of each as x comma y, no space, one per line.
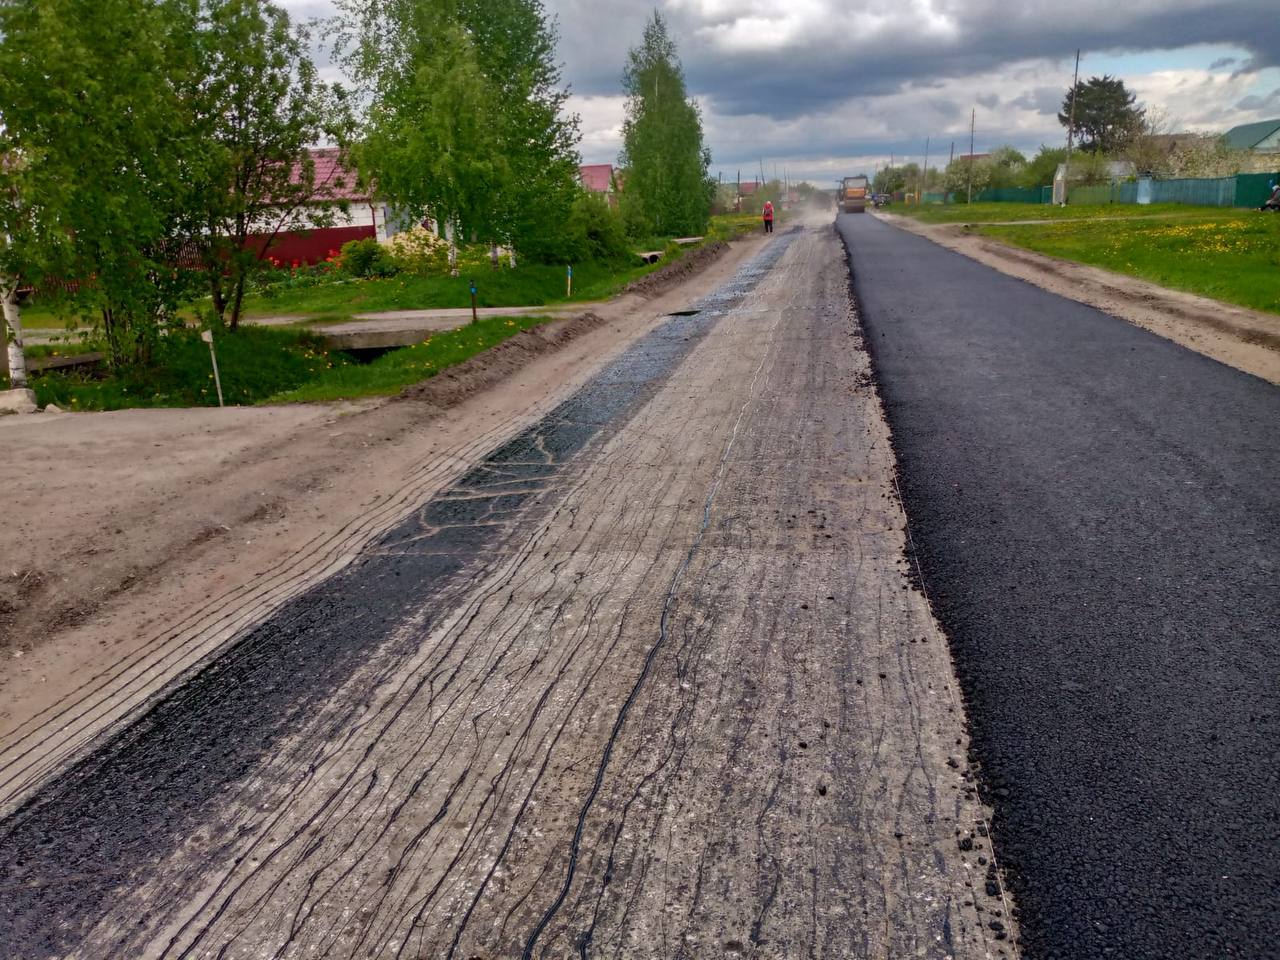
648,682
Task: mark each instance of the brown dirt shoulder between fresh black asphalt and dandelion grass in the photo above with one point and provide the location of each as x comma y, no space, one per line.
1246,340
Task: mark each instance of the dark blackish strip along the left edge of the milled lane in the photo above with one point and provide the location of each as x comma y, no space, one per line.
106,824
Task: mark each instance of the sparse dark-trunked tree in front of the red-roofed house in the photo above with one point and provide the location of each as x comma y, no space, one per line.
259,104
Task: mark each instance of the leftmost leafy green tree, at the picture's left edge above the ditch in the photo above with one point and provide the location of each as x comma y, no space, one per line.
90,104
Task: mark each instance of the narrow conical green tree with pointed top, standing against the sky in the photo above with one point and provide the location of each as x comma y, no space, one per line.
668,190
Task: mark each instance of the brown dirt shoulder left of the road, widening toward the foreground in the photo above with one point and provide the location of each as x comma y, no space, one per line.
138,542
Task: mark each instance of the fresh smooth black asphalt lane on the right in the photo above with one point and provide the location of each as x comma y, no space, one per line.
1096,513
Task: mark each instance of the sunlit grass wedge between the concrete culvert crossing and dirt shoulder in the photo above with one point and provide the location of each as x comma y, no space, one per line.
394,372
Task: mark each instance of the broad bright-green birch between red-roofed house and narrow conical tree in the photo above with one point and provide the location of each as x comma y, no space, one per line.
465,121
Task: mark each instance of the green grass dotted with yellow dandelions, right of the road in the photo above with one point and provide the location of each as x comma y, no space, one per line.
1229,255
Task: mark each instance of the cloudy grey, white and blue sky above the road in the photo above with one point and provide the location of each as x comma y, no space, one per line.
822,89
